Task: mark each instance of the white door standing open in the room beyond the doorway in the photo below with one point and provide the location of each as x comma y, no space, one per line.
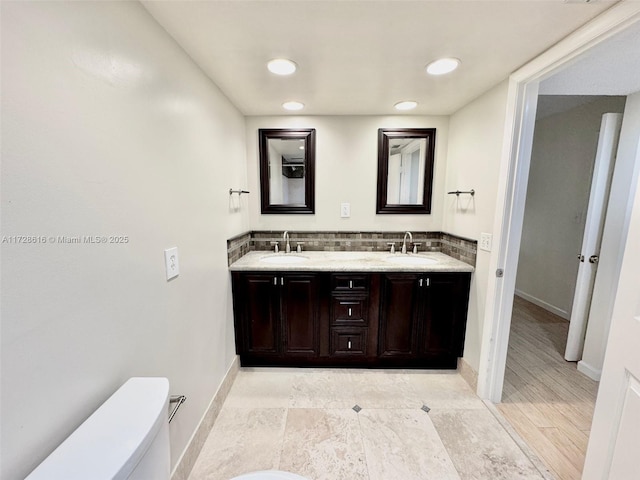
594,224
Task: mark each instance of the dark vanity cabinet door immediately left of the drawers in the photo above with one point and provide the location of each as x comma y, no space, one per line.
300,306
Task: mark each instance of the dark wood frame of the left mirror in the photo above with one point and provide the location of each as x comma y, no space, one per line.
309,137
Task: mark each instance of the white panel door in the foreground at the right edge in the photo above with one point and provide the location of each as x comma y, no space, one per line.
614,444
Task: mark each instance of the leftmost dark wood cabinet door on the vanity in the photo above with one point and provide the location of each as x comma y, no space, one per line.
260,319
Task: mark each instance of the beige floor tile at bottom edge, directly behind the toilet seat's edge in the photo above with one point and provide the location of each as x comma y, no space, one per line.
323,444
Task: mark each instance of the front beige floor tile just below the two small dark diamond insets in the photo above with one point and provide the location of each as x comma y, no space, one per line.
403,444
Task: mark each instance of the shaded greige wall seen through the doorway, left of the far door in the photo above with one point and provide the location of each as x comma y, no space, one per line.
564,149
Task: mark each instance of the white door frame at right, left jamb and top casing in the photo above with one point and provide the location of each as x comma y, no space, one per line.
521,105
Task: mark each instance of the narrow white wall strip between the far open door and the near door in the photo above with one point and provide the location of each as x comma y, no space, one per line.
616,227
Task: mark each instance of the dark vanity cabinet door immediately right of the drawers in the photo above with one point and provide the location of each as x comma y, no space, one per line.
398,315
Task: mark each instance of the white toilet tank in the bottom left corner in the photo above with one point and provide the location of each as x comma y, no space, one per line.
127,437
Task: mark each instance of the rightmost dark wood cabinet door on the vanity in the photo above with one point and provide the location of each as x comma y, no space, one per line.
445,313
